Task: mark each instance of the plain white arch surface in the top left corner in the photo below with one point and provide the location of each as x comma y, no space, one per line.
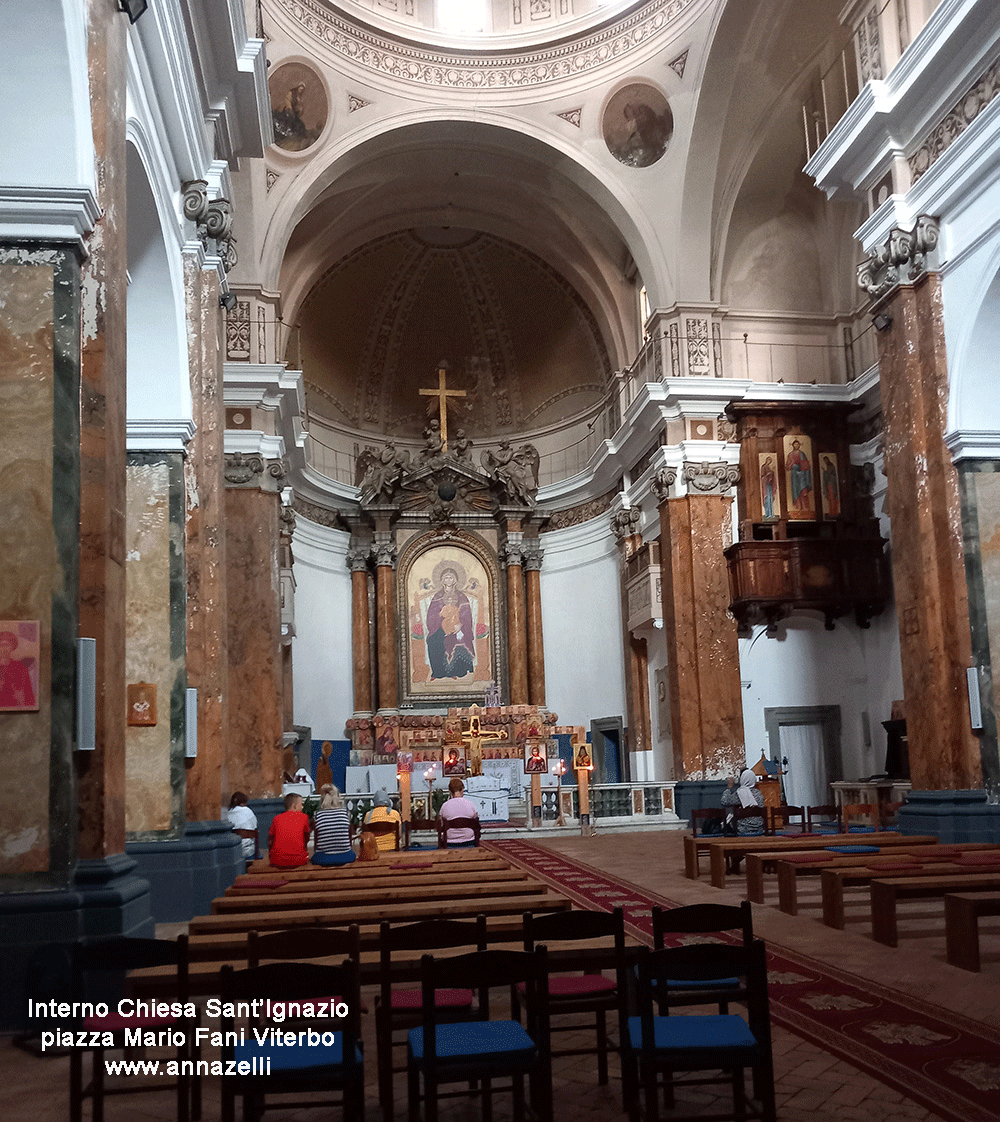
45,88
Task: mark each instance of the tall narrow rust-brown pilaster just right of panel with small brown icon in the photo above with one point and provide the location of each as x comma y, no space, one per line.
205,551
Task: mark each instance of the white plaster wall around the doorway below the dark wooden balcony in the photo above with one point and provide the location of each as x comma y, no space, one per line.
859,670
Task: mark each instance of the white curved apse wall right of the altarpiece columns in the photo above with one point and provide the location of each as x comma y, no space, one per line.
582,621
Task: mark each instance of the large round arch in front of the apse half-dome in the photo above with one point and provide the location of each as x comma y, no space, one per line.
564,188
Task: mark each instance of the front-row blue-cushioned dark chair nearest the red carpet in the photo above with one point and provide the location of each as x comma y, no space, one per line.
705,1044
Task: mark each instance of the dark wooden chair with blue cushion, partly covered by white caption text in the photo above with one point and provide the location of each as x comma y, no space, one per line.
333,1062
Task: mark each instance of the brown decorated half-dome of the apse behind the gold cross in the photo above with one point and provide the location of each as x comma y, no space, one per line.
518,337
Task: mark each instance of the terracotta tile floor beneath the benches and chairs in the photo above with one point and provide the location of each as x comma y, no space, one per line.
812,1086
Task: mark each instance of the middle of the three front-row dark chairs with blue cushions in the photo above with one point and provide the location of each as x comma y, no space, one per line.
483,1050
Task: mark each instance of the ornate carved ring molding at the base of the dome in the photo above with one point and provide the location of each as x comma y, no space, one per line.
498,70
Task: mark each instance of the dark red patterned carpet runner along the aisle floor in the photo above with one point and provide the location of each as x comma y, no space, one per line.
949,1064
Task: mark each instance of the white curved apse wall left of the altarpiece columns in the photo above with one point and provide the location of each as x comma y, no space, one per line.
322,651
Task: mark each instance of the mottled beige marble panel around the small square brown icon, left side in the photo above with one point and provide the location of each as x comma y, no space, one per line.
155,634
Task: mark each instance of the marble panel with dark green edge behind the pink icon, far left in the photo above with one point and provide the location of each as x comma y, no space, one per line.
40,504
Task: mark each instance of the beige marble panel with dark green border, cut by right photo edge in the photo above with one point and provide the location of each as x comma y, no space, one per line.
981,529
